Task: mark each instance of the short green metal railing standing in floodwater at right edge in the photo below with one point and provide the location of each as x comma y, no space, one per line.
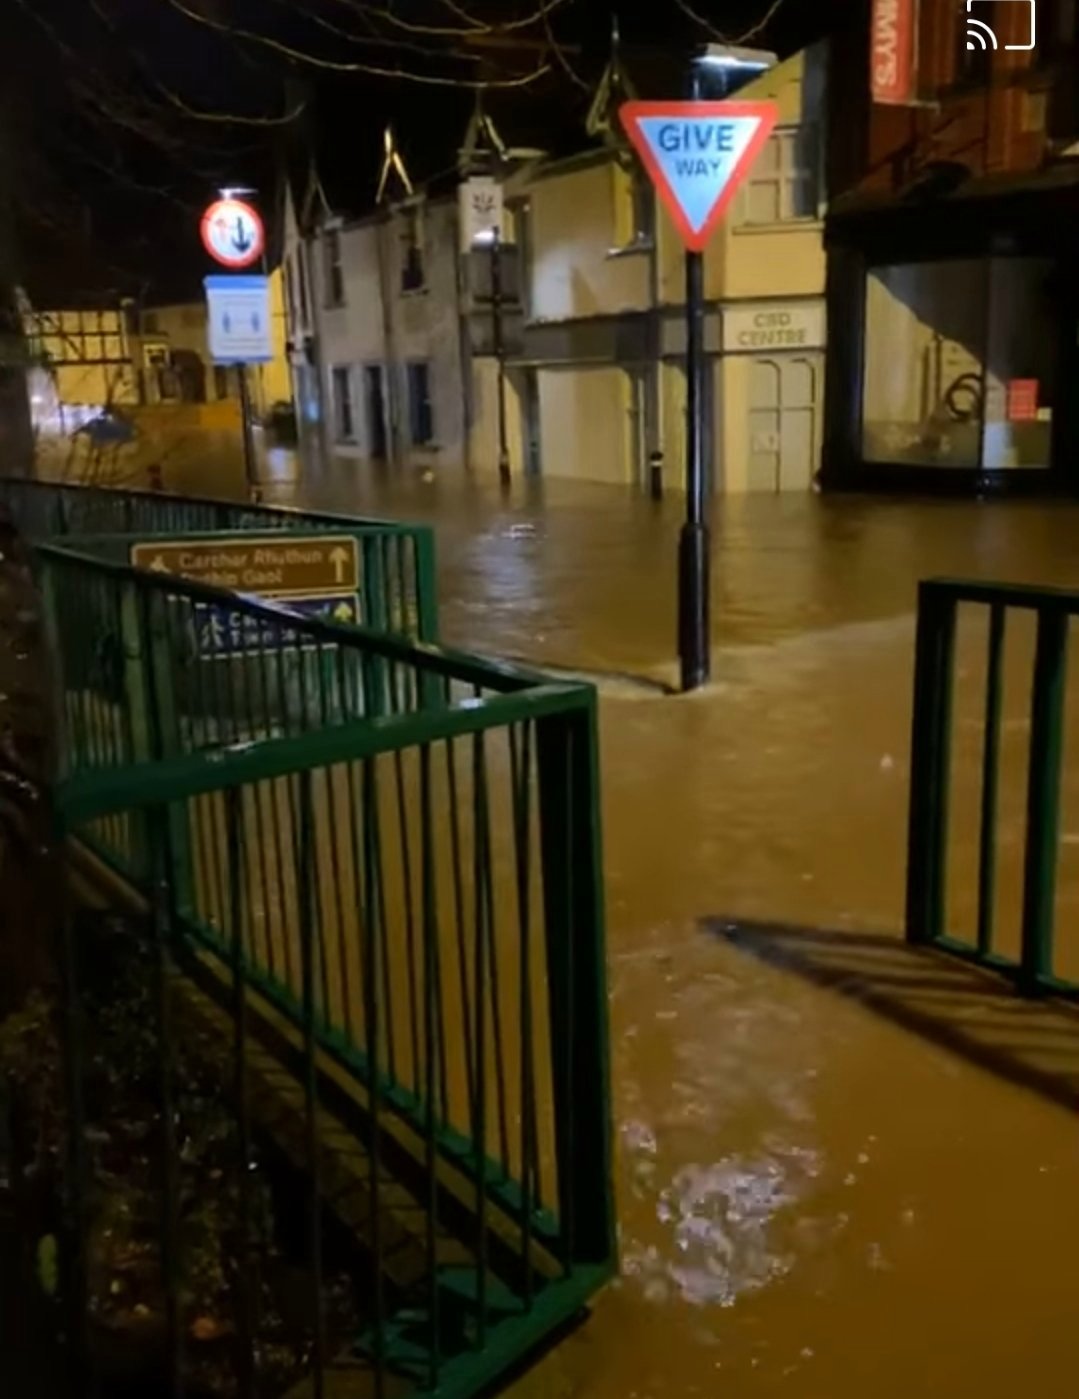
1036,966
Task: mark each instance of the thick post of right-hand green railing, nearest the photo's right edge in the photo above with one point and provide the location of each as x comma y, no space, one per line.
1045,797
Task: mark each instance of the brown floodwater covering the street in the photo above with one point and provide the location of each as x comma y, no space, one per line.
845,1169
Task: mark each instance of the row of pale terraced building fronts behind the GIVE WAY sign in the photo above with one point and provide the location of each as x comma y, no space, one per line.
394,336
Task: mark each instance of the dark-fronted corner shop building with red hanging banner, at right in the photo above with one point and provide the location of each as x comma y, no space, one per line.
952,280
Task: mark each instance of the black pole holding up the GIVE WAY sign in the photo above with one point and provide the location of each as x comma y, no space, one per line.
695,541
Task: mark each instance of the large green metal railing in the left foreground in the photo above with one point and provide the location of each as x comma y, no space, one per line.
394,850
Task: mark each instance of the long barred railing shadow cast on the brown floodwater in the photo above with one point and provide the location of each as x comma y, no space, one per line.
1034,1044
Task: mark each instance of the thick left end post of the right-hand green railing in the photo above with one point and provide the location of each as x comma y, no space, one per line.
930,763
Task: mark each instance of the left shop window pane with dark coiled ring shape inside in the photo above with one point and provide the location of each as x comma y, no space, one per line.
926,329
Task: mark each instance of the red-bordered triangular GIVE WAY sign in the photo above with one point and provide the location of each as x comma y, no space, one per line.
698,155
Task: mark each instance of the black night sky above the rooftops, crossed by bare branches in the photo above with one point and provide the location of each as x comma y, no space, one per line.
114,128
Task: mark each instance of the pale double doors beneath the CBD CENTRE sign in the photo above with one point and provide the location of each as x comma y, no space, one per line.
784,423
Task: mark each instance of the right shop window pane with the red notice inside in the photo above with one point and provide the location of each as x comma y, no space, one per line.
1020,385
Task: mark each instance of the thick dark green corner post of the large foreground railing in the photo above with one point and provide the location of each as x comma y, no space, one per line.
573,899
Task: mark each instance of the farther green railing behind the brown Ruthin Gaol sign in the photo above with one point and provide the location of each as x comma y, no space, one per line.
397,564
